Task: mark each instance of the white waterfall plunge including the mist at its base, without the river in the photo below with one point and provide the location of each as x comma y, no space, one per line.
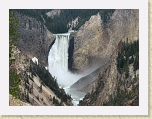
58,59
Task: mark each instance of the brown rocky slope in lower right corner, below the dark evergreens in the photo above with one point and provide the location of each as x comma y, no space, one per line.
112,88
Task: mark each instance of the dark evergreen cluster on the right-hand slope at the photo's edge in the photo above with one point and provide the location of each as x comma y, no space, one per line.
128,54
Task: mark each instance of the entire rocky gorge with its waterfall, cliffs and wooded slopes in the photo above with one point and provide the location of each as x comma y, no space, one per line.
90,63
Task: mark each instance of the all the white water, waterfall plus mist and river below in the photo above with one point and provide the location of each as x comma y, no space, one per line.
58,66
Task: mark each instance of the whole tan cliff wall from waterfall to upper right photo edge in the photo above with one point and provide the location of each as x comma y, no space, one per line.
96,41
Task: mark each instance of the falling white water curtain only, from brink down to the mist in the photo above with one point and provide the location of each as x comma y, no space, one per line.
58,55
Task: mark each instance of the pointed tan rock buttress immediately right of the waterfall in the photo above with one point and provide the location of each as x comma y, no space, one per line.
90,44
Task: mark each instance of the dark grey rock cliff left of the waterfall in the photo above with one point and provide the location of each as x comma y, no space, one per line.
34,38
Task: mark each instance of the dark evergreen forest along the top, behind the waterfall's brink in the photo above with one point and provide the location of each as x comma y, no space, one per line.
58,24
